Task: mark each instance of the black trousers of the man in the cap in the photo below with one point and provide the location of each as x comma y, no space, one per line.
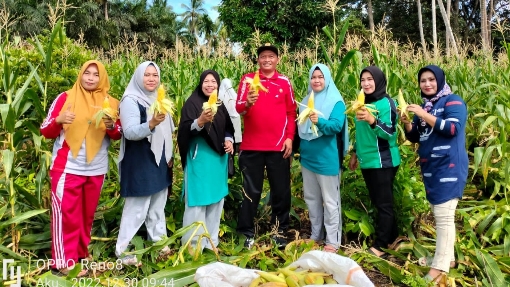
252,165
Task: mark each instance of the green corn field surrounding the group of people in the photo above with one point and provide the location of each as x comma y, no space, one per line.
34,71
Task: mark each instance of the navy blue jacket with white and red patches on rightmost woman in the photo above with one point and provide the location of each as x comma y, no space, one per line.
442,150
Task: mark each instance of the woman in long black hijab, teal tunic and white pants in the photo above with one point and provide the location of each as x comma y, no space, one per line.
204,139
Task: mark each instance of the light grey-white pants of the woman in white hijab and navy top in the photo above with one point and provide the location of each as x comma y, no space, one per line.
137,210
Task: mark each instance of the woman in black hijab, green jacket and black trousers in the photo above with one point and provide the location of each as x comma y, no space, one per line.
378,155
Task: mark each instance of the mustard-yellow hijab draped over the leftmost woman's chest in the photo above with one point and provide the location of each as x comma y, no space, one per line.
84,104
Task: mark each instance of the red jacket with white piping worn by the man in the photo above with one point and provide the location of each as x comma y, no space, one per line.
271,120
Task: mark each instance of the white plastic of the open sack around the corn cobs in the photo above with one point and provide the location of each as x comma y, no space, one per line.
345,271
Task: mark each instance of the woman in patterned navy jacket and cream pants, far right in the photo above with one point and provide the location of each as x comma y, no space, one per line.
439,127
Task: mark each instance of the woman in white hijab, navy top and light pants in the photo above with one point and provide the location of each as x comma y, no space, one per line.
144,161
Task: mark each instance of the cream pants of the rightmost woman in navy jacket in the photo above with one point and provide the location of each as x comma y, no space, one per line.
444,215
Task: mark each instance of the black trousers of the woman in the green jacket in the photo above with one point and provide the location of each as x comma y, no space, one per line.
379,182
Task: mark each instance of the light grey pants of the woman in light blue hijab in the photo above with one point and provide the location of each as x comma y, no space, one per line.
322,196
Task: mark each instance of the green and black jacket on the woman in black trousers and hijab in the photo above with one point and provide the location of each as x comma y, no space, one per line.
376,145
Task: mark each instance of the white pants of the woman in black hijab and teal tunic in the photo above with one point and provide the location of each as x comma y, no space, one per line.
210,215
